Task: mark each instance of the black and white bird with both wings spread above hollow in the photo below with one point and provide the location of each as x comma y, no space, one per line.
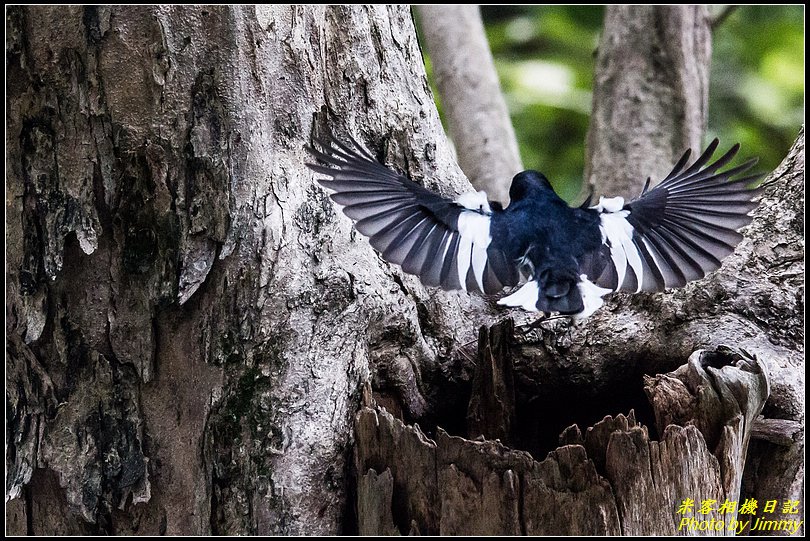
568,258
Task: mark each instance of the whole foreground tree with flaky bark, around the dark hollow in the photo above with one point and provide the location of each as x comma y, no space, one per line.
189,319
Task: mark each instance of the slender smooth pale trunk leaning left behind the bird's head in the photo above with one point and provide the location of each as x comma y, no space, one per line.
474,106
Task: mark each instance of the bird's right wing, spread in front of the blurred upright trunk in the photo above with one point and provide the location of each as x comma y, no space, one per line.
676,232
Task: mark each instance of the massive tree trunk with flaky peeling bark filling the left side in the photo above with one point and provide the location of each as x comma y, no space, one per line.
187,317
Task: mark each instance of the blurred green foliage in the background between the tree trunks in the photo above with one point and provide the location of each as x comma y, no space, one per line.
545,58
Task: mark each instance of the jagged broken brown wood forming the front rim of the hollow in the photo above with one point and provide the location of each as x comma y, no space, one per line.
615,479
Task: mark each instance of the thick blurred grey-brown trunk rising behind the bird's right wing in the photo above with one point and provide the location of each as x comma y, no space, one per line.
650,99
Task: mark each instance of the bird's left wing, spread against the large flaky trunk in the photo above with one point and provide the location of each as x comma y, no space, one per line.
446,243
